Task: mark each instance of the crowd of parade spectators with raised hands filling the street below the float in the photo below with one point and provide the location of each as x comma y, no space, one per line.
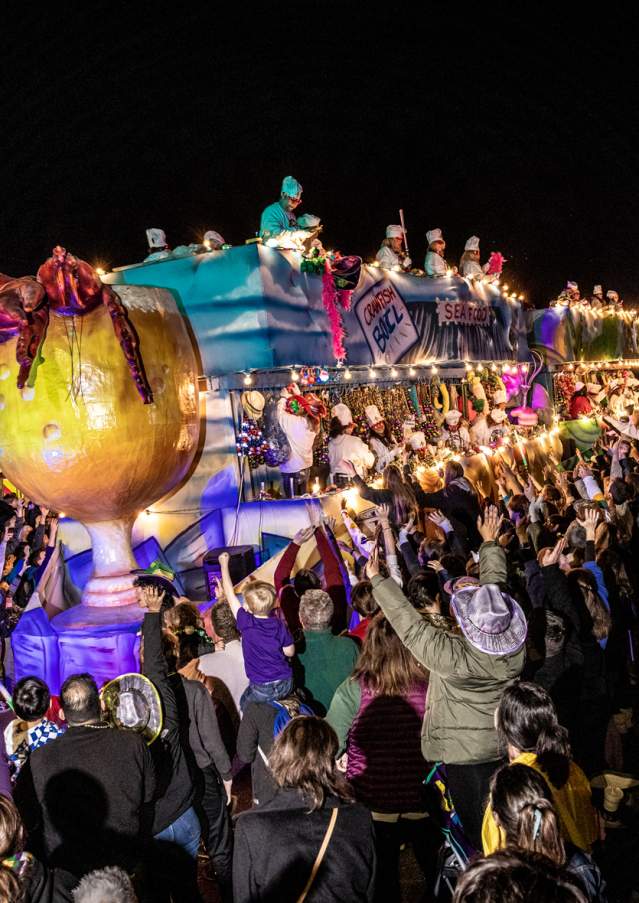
451,676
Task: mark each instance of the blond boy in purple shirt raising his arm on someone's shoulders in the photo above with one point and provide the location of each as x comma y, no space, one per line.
266,641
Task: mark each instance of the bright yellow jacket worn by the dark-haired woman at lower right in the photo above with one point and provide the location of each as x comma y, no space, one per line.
573,804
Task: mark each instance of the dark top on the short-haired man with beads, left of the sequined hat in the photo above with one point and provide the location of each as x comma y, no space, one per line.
85,798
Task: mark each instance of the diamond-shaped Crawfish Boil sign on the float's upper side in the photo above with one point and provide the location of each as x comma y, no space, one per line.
386,323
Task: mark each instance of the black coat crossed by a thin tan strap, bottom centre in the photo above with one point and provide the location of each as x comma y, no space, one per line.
277,844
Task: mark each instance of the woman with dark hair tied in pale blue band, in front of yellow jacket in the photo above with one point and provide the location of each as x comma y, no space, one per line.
523,809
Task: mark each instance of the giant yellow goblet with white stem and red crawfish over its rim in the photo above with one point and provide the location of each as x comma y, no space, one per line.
99,410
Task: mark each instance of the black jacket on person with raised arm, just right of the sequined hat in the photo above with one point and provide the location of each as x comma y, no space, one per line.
174,785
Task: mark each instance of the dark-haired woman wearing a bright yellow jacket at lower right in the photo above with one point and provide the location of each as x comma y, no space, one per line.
530,735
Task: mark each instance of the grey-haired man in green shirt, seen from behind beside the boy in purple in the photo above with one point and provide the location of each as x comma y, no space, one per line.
325,660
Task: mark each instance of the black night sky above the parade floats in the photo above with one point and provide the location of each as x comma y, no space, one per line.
520,130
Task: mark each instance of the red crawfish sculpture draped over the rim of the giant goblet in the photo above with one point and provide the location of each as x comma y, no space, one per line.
66,287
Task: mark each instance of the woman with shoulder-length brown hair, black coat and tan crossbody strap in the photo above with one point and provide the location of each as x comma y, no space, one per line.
311,838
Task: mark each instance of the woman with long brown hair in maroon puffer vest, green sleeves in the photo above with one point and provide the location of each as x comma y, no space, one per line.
377,714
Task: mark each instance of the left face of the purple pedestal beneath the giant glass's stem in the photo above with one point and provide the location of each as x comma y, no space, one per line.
35,649
